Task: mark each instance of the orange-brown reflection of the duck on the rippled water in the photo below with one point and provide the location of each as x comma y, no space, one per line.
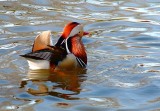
62,84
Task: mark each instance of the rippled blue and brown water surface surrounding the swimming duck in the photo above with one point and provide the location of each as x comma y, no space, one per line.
123,56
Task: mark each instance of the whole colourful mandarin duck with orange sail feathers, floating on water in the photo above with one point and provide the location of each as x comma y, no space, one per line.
67,53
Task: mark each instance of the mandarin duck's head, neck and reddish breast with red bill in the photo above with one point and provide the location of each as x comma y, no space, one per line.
71,41
